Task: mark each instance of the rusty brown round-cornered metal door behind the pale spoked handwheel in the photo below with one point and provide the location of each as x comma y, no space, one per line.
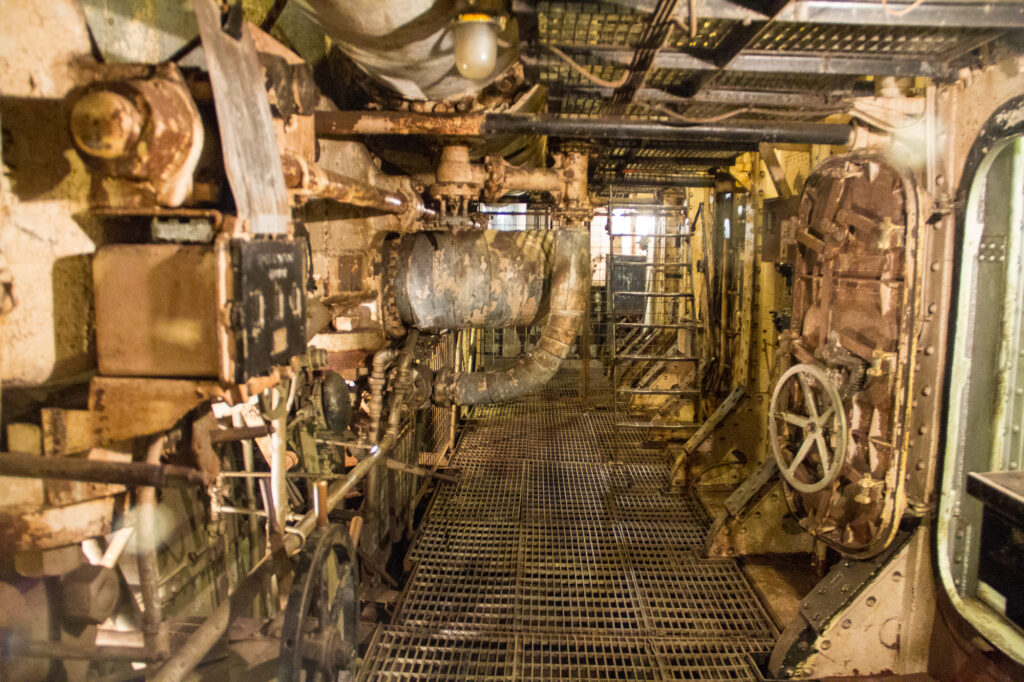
852,319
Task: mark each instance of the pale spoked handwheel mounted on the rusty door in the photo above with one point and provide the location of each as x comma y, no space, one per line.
825,420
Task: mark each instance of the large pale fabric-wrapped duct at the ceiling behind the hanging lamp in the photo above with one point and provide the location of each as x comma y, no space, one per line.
408,46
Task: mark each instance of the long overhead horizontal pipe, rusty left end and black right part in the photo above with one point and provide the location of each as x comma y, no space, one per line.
747,133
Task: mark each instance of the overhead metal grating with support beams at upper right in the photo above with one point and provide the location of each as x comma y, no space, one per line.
767,62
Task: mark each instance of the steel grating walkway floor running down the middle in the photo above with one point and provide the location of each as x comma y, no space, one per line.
559,556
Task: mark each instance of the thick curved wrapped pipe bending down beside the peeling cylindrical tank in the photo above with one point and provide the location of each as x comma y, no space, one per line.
570,288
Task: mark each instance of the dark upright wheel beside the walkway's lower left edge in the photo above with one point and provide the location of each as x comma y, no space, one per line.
319,638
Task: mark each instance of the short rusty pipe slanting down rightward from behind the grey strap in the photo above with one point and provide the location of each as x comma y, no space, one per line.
318,183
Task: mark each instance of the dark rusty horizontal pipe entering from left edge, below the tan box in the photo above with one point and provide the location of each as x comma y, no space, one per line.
98,472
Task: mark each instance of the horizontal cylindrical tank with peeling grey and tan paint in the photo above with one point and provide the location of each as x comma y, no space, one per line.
474,279
